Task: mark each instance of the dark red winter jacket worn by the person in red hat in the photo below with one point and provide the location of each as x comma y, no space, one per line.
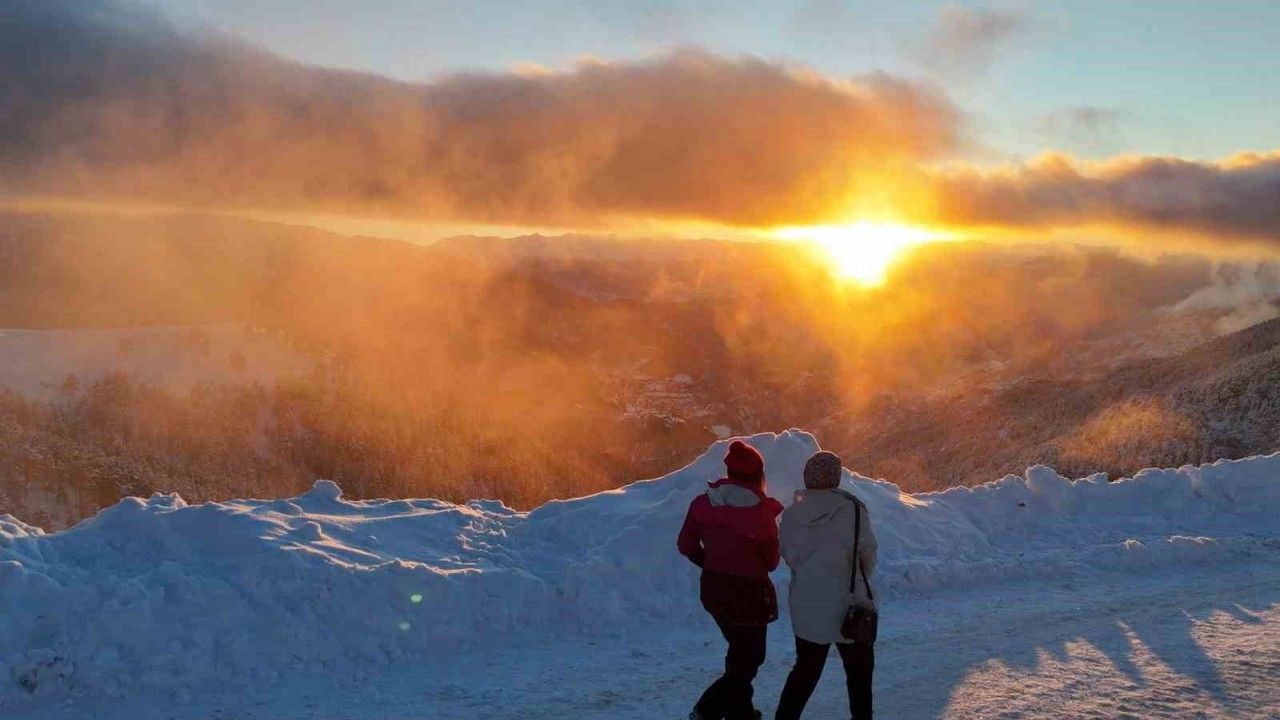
732,534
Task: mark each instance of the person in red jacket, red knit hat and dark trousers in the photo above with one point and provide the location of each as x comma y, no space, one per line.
732,534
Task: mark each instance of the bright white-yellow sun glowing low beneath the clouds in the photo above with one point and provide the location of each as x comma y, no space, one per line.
866,250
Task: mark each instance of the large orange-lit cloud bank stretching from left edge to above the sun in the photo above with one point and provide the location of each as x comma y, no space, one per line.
120,106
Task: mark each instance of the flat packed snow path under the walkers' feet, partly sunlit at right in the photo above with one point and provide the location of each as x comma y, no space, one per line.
1206,646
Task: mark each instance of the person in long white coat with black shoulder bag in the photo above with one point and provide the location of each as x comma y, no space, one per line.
817,541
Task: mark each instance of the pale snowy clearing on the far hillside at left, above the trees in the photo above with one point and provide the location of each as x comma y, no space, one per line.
35,363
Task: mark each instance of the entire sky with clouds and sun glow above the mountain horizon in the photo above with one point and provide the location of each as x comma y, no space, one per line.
1148,125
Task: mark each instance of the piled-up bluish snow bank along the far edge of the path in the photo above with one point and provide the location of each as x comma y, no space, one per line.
157,596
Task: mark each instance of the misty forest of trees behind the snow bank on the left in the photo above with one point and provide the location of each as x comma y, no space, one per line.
63,461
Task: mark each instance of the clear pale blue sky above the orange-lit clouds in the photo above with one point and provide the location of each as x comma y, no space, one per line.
1090,78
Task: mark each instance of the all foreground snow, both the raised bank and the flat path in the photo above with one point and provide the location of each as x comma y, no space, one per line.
1030,598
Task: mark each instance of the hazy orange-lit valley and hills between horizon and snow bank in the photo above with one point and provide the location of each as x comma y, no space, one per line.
221,357
